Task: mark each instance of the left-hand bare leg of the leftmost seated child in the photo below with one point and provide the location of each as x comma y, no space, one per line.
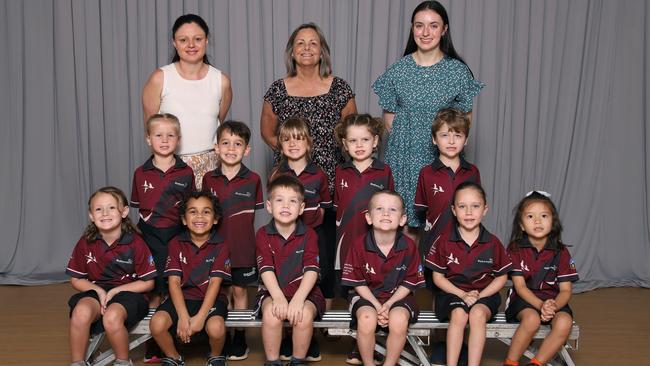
83,315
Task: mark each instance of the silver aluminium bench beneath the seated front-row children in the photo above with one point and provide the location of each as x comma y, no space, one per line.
337,322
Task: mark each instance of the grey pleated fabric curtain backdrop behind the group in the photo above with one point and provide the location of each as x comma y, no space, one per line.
564,109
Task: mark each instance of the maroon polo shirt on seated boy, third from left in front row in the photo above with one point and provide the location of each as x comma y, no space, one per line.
289,259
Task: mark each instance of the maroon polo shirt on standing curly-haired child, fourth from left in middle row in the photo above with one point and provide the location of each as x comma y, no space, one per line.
352,192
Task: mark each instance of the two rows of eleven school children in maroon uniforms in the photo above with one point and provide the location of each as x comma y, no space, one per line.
196,250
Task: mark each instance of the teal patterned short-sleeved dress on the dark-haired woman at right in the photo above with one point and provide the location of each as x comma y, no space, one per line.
415,94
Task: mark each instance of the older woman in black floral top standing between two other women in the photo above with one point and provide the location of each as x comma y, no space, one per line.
310,91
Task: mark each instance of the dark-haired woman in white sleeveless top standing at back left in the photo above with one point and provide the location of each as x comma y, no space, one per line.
192,90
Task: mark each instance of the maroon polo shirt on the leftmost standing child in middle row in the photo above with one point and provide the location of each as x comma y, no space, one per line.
157,194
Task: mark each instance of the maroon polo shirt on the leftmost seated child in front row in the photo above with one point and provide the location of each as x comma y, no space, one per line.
108,266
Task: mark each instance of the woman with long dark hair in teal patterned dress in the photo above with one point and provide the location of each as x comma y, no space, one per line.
431,76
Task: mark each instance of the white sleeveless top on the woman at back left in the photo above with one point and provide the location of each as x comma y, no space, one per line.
196,104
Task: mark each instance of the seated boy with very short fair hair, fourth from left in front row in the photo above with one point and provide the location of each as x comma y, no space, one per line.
384,269
